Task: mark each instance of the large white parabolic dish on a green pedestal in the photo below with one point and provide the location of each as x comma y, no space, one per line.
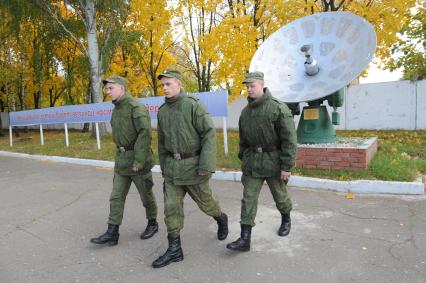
341,42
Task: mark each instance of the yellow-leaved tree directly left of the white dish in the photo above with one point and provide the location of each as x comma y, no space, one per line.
244,26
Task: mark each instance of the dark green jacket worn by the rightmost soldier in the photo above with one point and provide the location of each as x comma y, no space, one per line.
267,123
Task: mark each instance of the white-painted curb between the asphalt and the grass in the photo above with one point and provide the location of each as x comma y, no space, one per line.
357,186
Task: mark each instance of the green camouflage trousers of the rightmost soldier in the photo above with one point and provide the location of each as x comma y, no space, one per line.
252,187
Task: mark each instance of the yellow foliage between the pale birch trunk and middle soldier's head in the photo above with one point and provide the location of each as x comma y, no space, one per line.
151,55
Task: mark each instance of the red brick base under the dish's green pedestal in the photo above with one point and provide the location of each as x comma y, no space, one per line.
355,157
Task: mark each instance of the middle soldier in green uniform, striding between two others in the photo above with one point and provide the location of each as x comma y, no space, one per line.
187,151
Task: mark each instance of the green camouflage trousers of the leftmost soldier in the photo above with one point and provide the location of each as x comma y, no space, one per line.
120,189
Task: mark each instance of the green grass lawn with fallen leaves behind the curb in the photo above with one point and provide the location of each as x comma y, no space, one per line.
401,155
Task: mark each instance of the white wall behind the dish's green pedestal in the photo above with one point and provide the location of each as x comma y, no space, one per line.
376,106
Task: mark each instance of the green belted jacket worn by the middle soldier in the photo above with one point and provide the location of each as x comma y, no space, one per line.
185,127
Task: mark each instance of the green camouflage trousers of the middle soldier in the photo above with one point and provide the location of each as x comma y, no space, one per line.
173,203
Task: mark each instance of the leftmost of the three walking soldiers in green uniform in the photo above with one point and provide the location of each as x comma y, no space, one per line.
131,132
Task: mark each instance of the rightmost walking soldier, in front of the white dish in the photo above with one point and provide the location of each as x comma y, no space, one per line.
267,151
